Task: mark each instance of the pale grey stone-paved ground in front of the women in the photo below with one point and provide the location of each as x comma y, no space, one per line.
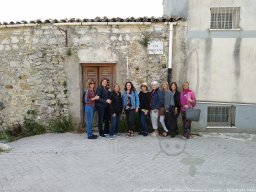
70,163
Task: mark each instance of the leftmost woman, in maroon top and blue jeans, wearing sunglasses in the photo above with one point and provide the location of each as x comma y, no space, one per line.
89,100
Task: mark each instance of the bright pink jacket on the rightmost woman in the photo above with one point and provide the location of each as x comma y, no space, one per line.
184,96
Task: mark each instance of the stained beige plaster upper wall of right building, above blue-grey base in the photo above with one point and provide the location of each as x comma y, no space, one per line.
219,64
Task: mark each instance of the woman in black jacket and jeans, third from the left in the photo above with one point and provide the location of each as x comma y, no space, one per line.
115,110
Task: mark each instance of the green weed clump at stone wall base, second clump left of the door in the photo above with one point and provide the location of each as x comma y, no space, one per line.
31,127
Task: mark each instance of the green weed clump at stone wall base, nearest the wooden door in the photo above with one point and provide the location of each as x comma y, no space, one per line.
61,125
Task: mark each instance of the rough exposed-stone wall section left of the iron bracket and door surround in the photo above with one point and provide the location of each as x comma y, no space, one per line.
32,78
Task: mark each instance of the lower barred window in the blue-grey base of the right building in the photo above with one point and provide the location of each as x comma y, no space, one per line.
221,116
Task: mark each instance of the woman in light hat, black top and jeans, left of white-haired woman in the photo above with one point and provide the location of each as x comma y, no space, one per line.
144,97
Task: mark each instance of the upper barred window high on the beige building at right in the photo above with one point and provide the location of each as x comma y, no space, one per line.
225,17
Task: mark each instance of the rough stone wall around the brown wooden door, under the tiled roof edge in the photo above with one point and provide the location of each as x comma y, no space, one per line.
40,74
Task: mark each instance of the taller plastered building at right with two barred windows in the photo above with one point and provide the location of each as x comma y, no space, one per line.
219,60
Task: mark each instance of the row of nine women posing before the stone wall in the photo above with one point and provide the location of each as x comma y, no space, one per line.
163,104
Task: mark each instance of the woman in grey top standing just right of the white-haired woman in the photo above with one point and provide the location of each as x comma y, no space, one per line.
168,106
